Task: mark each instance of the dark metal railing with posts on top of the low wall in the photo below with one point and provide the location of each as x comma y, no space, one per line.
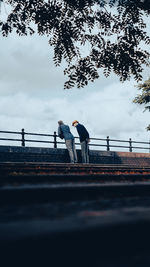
107,143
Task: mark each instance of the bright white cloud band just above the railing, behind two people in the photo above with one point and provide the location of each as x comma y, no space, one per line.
108,112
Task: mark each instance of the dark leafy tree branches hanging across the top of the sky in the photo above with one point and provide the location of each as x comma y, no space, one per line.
87,34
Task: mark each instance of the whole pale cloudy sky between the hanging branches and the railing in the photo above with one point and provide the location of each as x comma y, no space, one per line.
32,95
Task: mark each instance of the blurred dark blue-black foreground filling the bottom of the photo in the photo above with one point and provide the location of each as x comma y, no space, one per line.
108,228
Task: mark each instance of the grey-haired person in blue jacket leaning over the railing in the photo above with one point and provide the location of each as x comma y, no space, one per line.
64,133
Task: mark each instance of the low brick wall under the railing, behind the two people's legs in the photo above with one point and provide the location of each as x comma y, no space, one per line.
35,154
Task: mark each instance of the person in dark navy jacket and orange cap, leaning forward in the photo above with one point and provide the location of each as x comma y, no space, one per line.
84,140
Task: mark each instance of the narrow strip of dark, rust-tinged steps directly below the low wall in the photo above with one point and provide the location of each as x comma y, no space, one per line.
66,169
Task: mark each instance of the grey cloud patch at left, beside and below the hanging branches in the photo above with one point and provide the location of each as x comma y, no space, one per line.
27,65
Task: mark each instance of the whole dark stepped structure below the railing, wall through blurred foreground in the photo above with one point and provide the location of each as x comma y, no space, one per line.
57,213
